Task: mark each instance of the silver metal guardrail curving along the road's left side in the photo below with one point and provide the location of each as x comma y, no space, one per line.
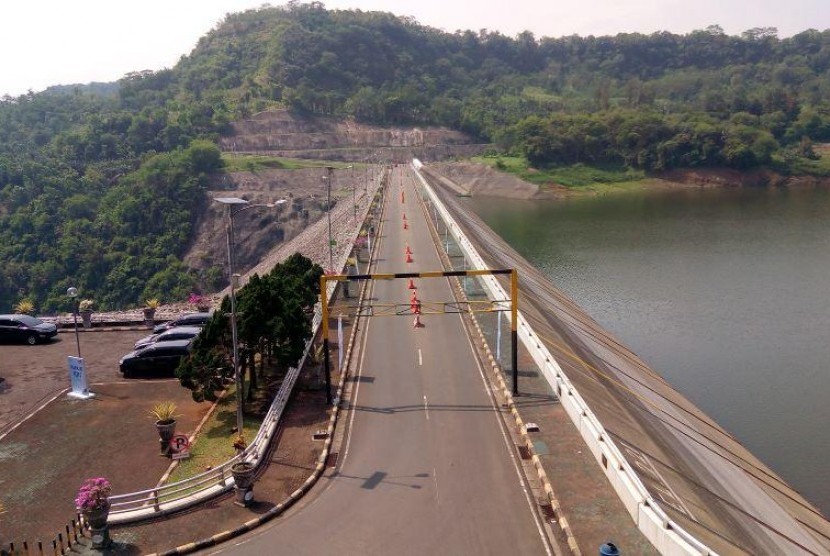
165,499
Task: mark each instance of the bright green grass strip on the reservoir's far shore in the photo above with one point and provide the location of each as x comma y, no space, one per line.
574,176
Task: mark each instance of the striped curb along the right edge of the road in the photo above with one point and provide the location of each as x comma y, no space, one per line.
507,396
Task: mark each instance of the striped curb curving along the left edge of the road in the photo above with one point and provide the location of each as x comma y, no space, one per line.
307,484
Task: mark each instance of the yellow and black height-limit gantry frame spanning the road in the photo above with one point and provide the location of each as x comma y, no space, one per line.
514,311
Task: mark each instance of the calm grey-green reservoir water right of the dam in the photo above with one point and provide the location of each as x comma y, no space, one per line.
725,292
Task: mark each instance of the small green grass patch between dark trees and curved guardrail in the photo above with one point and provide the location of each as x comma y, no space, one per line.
214,443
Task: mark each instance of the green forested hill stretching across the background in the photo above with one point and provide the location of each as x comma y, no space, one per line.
99,186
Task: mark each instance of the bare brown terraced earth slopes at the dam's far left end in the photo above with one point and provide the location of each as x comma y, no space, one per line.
258,230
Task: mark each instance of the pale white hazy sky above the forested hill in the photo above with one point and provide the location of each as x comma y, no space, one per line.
58,42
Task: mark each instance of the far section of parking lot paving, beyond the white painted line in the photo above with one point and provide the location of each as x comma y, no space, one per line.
33,374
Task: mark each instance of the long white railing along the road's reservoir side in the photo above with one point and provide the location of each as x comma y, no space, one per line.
665,534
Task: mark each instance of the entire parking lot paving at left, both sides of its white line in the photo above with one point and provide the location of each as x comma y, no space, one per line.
49,455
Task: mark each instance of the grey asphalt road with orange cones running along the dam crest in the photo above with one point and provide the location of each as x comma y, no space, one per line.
426,466
